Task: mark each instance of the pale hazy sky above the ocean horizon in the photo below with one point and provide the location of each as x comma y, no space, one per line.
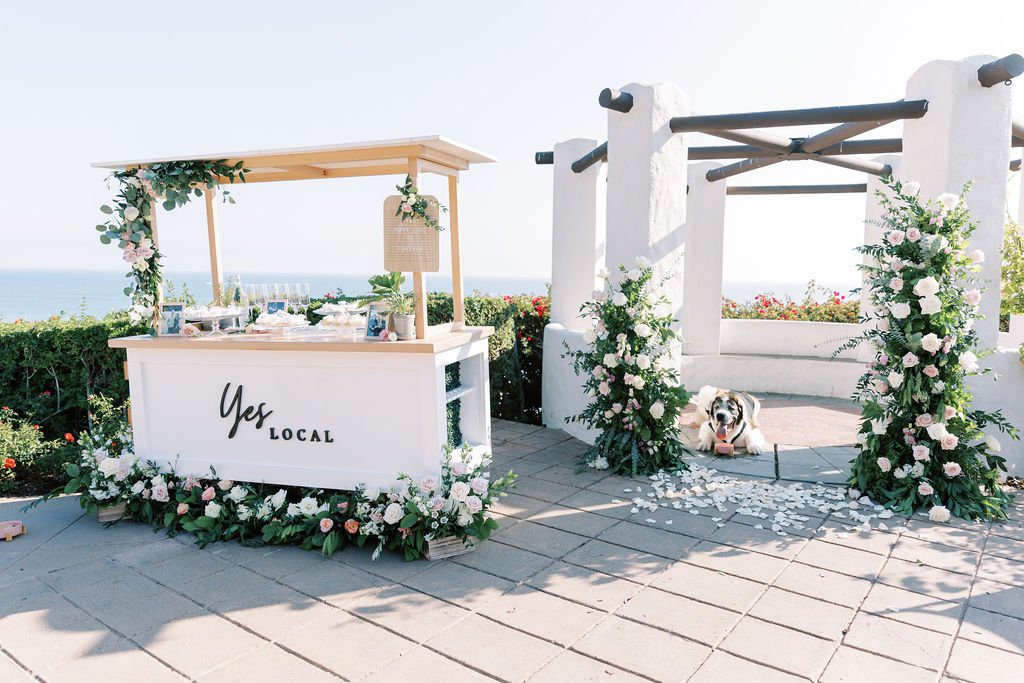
87,82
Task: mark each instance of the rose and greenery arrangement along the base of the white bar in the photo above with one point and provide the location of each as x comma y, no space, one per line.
401,519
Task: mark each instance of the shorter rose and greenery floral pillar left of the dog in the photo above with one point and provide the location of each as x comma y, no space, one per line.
631,377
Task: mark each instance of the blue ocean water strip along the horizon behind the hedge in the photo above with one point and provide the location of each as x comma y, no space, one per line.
39,294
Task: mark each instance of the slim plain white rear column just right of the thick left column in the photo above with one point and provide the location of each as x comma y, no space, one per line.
705,234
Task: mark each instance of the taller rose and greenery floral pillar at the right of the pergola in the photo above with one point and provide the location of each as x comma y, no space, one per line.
922,445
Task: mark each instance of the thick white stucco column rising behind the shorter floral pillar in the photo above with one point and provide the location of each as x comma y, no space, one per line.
647,205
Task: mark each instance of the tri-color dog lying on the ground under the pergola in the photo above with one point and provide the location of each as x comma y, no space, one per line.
729,417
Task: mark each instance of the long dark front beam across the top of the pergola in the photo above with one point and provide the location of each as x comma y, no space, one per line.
904,109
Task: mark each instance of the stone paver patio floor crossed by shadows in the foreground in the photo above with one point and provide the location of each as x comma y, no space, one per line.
574,587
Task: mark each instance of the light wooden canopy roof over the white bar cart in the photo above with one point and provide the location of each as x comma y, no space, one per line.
434,153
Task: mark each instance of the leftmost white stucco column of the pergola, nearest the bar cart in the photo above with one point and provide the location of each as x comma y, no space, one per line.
578,233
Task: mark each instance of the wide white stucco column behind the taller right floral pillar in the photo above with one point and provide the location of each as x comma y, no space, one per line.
964,137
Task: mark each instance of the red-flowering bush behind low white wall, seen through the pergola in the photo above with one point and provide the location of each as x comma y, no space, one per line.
820,306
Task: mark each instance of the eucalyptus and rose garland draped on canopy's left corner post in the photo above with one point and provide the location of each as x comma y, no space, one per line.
131,219
